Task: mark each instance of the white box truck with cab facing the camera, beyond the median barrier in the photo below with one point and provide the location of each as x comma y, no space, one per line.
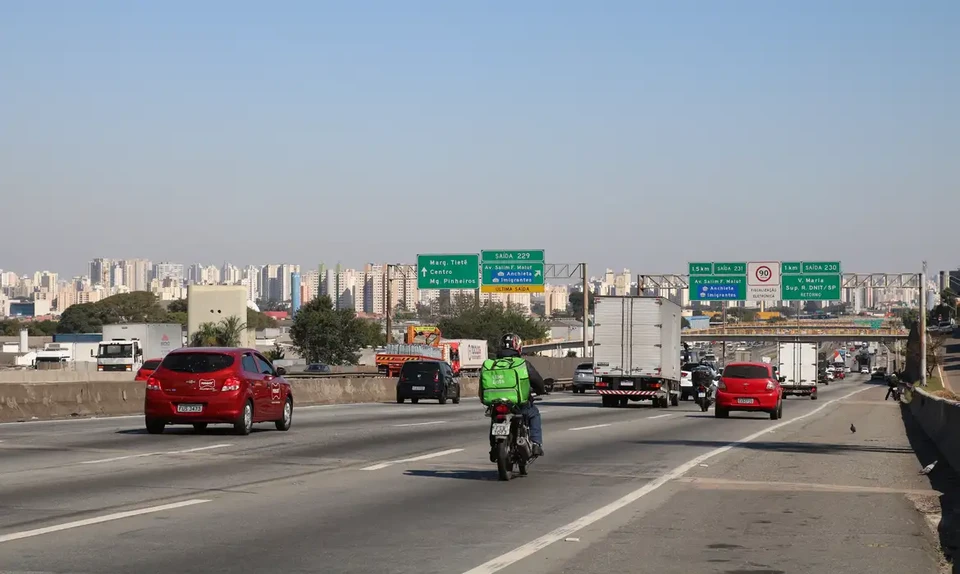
126,346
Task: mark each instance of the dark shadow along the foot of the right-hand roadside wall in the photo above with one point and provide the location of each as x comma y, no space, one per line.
943,479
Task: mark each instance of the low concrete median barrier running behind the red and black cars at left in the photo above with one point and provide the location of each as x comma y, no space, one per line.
57,400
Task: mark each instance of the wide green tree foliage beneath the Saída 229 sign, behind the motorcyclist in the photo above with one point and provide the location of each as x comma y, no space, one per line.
490,321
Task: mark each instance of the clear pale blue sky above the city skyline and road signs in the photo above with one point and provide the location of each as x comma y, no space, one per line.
628,134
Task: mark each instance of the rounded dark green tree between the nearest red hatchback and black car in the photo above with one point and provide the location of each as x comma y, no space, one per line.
322,334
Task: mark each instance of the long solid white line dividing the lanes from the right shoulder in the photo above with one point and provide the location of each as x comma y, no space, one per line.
549,538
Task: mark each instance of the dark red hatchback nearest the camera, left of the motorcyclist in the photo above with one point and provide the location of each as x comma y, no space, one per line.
209,385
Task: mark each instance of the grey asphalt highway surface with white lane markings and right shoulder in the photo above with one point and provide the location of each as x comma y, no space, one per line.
409,489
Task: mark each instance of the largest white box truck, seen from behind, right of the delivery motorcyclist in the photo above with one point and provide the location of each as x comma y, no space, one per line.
636,353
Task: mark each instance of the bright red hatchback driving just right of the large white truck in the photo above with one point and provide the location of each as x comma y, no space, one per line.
749,387
